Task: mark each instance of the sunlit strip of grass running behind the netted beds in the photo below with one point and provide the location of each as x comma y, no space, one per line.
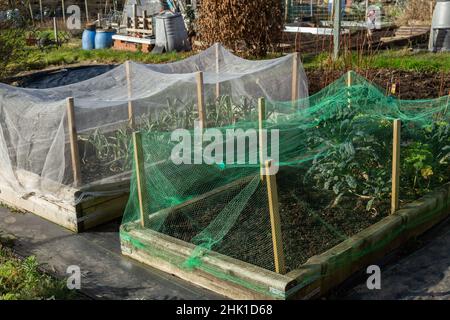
32,58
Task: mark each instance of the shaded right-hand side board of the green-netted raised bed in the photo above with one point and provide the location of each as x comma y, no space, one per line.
323,272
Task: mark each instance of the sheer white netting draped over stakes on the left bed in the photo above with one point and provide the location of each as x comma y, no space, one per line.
34,130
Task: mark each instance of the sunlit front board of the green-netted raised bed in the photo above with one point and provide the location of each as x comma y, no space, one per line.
218,273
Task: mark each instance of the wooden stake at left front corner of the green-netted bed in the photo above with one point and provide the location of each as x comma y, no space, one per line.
140,176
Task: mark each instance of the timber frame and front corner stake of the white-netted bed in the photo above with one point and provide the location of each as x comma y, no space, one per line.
102,201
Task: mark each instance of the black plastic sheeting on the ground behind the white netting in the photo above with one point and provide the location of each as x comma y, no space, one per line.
61,77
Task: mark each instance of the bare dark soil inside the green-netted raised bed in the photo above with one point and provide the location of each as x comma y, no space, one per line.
310,224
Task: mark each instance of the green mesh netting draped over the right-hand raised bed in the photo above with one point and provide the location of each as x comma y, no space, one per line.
334,178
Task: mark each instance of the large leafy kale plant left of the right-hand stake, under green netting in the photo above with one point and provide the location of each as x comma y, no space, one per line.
354,162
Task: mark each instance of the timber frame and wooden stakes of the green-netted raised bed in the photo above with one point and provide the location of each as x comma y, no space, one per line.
241,280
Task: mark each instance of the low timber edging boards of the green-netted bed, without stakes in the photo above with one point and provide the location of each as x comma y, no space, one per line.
240,280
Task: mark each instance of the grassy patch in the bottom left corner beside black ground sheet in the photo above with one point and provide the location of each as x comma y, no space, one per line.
22,280
